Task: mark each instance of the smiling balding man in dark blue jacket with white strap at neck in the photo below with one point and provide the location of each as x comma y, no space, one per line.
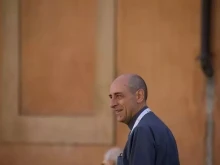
150,141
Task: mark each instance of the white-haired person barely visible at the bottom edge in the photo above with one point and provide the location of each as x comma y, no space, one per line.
110,157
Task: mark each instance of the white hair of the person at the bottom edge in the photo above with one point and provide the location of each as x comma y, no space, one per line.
112,154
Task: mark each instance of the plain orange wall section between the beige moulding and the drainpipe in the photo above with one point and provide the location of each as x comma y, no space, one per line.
160,40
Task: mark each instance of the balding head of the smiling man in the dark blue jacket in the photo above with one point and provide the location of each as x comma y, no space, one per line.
128,94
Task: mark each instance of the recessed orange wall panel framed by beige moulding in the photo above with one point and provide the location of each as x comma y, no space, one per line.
57,50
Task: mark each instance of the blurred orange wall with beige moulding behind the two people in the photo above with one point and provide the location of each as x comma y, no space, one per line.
58,58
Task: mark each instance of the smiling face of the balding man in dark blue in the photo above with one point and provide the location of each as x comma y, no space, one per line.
122,101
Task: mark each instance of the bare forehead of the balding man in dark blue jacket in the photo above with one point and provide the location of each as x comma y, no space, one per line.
119,86
